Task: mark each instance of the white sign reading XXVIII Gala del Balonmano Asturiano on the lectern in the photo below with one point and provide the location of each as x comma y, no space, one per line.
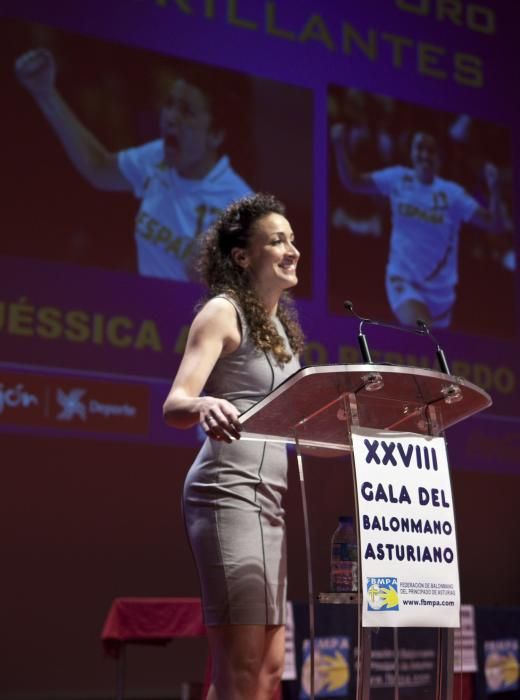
408,548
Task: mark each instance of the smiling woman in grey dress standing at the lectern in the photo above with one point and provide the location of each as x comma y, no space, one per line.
243,342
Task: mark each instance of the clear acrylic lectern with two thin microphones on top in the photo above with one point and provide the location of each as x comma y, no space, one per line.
316,408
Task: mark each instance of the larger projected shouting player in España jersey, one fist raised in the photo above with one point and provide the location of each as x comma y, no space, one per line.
181,179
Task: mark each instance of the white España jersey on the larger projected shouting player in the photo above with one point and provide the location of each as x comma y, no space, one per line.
174,210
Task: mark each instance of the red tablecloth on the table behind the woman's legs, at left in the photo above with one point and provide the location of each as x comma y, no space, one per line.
151,621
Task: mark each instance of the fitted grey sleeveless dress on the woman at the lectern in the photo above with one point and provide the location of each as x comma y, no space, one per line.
232,500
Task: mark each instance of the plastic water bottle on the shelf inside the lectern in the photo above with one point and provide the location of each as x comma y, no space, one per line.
343,556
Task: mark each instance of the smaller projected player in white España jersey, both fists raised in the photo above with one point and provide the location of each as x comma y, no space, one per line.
427,214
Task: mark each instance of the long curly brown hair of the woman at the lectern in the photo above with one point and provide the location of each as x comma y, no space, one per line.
233,229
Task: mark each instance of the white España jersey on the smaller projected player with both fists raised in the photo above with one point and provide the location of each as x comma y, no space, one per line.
426,220
